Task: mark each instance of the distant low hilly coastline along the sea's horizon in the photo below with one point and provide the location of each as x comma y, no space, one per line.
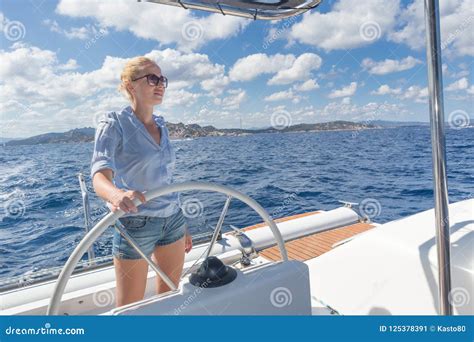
182,131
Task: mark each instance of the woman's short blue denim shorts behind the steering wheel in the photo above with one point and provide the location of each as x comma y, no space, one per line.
148,232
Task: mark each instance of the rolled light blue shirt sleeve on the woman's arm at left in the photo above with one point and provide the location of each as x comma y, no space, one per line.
107,139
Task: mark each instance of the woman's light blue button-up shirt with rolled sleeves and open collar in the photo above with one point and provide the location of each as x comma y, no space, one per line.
123,144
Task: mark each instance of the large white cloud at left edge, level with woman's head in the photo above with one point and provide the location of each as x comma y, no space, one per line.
37,76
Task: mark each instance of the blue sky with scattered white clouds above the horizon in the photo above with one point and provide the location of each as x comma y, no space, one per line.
60,63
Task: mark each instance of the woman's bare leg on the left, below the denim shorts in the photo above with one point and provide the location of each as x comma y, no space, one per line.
131,276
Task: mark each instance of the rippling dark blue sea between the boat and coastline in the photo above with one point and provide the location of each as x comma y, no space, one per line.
41,217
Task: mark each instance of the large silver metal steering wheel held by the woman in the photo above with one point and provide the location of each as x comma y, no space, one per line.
111,218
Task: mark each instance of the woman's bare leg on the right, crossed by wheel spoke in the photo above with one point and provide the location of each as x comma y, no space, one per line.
170,259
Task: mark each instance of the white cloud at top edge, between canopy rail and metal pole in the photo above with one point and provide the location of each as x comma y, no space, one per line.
347,25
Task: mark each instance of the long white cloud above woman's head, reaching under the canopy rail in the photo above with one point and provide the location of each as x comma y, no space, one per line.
165,24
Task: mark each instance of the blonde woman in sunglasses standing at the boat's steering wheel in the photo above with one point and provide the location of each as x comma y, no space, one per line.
132,154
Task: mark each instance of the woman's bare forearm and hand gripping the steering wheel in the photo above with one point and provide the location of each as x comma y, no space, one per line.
120,199
